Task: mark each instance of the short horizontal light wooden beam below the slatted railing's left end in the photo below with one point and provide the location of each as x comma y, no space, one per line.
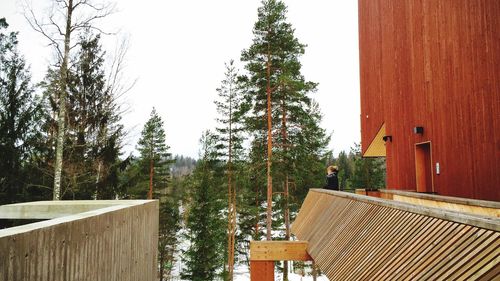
279,251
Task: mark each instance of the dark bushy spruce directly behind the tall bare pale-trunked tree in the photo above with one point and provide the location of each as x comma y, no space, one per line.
93,133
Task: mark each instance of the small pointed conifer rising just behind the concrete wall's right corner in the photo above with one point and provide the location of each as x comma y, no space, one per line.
154,159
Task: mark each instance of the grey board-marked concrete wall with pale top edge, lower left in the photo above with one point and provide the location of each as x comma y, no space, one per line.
112,243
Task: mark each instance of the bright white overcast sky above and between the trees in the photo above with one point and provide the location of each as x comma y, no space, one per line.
178,50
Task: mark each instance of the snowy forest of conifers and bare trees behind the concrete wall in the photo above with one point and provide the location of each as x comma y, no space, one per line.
62,139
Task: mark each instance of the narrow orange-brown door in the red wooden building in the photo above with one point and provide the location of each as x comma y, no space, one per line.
423,166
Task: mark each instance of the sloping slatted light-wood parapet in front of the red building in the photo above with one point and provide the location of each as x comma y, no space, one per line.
355,237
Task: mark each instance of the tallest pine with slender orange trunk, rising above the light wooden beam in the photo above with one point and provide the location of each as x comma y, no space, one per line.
264,65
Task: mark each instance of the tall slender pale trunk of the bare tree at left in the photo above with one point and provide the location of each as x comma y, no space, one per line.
62,106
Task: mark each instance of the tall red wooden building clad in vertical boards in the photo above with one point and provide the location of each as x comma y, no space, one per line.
430,94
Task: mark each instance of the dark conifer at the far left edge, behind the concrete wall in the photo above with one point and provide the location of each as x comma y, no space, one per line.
19,121
